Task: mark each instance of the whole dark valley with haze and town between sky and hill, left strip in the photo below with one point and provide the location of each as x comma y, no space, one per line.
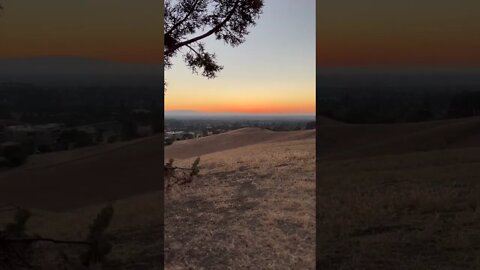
37,119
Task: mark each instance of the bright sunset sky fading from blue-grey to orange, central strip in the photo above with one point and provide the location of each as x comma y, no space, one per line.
272,72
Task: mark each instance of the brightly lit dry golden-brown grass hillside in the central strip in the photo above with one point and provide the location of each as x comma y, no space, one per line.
252,207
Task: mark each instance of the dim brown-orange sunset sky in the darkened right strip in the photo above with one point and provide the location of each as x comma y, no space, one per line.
398,33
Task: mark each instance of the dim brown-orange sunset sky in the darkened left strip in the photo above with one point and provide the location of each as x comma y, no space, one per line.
120,30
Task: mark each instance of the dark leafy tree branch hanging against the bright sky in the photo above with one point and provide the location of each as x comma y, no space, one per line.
189,22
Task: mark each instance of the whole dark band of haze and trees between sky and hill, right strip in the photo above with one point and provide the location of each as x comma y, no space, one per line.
397,98
